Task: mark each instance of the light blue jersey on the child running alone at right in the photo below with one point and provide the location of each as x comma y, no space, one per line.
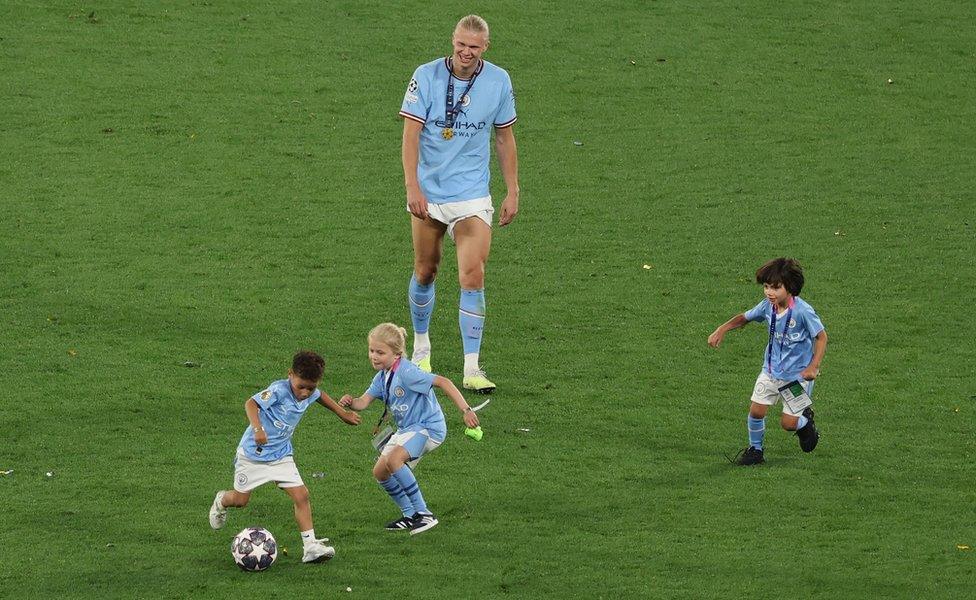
792,353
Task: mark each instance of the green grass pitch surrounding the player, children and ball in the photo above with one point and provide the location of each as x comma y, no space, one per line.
190,192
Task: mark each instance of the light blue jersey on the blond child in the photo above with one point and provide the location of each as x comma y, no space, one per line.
411,398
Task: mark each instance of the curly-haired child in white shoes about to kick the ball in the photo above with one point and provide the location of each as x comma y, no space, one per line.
264,453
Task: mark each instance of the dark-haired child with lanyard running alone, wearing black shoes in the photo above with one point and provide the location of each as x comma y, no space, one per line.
797,342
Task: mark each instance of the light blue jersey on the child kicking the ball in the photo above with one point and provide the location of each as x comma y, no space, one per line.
280,413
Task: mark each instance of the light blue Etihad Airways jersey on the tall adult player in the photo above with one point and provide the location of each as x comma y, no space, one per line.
456,169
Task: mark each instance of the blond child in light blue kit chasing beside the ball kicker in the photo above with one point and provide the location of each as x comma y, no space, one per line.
409,396
